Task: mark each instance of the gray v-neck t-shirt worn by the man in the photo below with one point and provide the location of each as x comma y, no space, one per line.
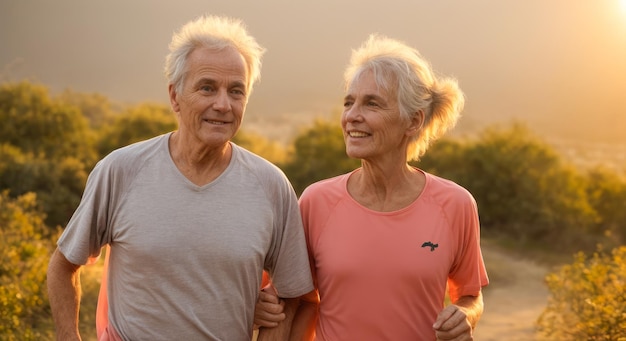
186,260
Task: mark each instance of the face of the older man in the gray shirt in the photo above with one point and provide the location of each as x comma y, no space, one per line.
213,98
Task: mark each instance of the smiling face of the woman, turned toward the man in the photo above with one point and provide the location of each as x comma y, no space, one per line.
372,126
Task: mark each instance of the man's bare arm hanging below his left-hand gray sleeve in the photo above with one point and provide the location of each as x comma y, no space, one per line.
64,294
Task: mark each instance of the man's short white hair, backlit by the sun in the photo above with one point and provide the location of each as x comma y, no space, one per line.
216,33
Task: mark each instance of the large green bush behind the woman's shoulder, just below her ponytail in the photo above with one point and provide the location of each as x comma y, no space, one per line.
523,187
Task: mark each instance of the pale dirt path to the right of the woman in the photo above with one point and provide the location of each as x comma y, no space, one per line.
515,299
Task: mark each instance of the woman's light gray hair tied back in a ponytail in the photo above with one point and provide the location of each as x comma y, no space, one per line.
400,69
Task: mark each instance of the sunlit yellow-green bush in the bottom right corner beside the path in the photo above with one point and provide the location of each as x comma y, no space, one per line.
587,299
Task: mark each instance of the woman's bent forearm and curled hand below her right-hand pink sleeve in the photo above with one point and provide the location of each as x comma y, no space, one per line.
458,320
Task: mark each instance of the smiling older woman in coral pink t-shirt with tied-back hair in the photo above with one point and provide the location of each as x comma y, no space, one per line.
387,239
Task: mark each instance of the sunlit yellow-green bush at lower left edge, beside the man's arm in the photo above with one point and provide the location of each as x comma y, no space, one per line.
25,246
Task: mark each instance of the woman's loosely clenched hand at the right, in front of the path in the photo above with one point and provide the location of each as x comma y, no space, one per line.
453,324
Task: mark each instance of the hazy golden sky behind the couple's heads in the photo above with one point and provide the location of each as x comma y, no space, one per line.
559,65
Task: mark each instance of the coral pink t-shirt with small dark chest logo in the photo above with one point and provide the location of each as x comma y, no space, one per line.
383,275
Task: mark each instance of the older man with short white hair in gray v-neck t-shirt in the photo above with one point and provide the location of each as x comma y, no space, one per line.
192,219
